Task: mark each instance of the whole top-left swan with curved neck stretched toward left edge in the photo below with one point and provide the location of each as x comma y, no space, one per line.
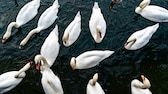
27,13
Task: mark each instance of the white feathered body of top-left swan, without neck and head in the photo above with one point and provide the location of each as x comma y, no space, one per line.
27,12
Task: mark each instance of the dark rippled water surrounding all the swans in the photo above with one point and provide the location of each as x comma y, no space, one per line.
116,72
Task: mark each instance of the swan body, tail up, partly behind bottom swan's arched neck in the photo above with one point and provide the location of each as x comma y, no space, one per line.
50,47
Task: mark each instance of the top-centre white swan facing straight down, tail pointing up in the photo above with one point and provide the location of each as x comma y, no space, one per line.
97,24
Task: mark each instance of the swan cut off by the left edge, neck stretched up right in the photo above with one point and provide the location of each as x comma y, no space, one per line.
11,79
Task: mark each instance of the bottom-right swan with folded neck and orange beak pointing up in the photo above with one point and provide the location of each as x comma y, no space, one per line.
137,87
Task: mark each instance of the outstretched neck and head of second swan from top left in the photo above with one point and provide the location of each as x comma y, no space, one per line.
26,39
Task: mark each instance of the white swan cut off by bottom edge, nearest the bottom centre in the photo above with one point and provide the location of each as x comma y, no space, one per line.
93,87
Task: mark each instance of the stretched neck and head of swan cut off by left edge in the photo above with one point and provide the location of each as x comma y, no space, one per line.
25,68
